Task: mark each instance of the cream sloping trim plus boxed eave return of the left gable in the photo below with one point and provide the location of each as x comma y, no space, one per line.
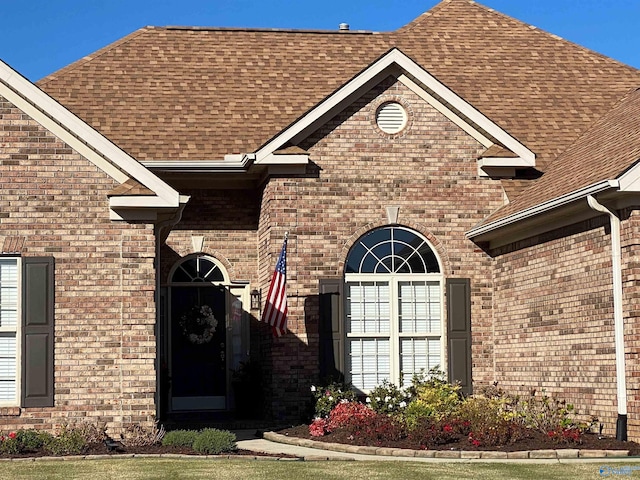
93,146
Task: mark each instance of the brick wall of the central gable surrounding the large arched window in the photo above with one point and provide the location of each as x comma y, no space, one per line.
429,171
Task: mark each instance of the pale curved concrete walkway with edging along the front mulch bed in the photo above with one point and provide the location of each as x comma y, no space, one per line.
272,443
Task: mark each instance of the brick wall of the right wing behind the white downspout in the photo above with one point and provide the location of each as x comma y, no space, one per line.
554,327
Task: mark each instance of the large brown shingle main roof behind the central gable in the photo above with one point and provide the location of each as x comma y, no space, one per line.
199,93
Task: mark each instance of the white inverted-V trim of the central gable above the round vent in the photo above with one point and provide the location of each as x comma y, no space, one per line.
372,75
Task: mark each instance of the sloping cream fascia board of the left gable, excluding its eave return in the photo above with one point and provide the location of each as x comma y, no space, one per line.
64,124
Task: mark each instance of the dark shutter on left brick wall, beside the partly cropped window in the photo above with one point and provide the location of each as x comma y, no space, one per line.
37,331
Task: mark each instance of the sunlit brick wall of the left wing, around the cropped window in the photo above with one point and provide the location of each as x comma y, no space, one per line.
104,295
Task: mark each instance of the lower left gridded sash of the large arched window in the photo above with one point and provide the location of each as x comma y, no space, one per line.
369,362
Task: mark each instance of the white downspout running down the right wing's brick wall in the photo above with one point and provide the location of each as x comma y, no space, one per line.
618,320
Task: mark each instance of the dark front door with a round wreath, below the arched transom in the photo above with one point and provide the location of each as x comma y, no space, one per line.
198,346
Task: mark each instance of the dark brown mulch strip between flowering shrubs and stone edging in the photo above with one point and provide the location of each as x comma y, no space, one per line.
536,441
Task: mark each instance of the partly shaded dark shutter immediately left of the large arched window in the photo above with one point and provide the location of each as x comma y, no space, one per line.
330,330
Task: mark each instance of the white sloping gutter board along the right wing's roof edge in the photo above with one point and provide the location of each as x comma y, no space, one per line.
542,208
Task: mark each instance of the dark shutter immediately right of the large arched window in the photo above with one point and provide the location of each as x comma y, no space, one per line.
459,332
